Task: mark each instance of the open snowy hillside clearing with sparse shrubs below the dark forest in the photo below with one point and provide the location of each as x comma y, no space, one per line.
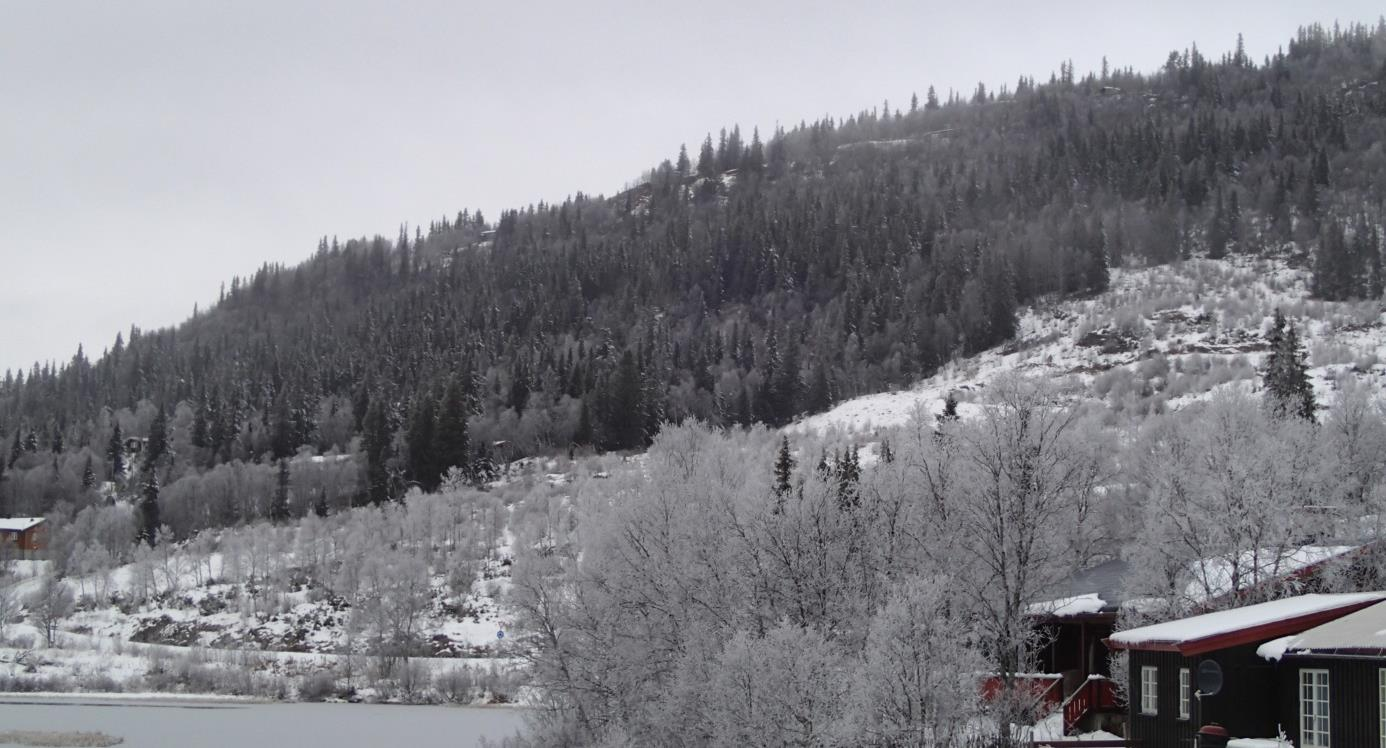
1159,339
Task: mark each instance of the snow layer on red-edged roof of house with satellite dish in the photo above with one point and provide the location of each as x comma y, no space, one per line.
1220,630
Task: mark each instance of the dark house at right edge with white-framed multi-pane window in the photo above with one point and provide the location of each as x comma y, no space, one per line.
1333,682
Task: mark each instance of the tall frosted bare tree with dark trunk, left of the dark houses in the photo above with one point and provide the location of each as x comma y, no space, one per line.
1014,492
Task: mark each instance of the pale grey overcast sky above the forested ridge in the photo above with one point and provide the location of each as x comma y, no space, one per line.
152,150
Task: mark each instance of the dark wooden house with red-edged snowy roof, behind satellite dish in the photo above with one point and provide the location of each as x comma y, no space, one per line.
1166,709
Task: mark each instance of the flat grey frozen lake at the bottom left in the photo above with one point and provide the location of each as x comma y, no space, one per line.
217,725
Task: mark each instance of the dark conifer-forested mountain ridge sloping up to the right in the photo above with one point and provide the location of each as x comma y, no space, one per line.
752,279
